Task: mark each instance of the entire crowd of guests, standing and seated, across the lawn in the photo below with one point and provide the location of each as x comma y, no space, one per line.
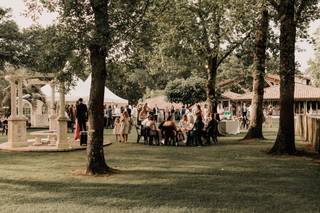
190,125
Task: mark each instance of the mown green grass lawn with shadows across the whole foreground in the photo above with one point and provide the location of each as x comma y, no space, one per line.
232,176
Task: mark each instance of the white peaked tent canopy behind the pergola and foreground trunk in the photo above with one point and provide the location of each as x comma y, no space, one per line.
82,90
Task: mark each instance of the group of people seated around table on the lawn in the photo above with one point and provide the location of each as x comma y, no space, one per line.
196,126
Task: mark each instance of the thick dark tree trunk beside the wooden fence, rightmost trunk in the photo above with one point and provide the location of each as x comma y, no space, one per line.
285,142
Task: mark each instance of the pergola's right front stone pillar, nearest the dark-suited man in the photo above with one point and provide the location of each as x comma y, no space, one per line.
62,130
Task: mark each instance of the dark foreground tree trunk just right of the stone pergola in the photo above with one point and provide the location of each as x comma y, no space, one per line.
96,163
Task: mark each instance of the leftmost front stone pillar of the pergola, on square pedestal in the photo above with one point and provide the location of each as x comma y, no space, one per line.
17,131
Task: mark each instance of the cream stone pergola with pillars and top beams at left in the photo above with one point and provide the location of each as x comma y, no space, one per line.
17,134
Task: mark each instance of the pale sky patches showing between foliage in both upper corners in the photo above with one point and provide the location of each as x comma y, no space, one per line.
18,8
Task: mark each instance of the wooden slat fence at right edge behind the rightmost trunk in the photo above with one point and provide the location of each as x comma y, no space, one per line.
308,127
